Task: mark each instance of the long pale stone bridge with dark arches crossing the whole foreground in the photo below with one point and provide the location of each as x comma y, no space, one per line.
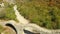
28,28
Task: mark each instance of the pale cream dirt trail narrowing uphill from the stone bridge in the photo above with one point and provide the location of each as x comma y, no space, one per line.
19,17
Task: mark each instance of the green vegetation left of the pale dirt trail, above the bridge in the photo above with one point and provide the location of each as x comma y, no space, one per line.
7,13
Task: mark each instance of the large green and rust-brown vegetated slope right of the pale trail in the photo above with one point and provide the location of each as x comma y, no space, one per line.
45,13
